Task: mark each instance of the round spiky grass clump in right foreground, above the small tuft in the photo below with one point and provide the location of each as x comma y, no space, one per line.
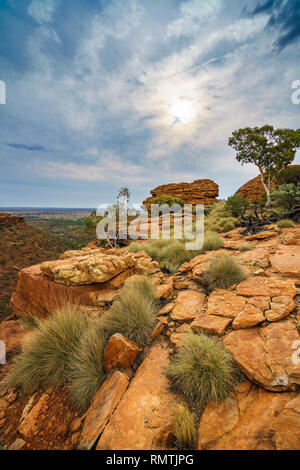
202,370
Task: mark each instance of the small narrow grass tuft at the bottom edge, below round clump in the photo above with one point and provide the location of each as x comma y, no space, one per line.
185,428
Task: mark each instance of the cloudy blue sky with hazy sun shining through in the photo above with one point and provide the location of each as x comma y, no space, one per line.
108,93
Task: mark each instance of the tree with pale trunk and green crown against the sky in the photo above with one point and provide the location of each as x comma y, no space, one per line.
269,149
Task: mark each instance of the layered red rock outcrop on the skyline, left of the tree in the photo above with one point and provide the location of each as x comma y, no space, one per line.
199,192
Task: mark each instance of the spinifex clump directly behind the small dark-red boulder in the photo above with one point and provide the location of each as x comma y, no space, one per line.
133,313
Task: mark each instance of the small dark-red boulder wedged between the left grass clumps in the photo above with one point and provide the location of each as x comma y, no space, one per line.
119,353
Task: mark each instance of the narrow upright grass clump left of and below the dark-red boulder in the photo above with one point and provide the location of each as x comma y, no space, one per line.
86,371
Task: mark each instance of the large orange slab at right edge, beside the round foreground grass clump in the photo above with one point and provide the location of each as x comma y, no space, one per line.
265,355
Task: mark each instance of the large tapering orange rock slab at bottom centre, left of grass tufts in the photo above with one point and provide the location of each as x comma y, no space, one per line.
143,418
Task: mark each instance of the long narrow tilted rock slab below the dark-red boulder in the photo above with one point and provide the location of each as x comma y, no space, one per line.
102,407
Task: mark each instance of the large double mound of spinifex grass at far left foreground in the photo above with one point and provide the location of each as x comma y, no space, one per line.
50,350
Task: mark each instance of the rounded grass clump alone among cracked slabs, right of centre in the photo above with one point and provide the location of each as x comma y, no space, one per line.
223,272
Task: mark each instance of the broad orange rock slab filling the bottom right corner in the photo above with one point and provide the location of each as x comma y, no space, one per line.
251,419
